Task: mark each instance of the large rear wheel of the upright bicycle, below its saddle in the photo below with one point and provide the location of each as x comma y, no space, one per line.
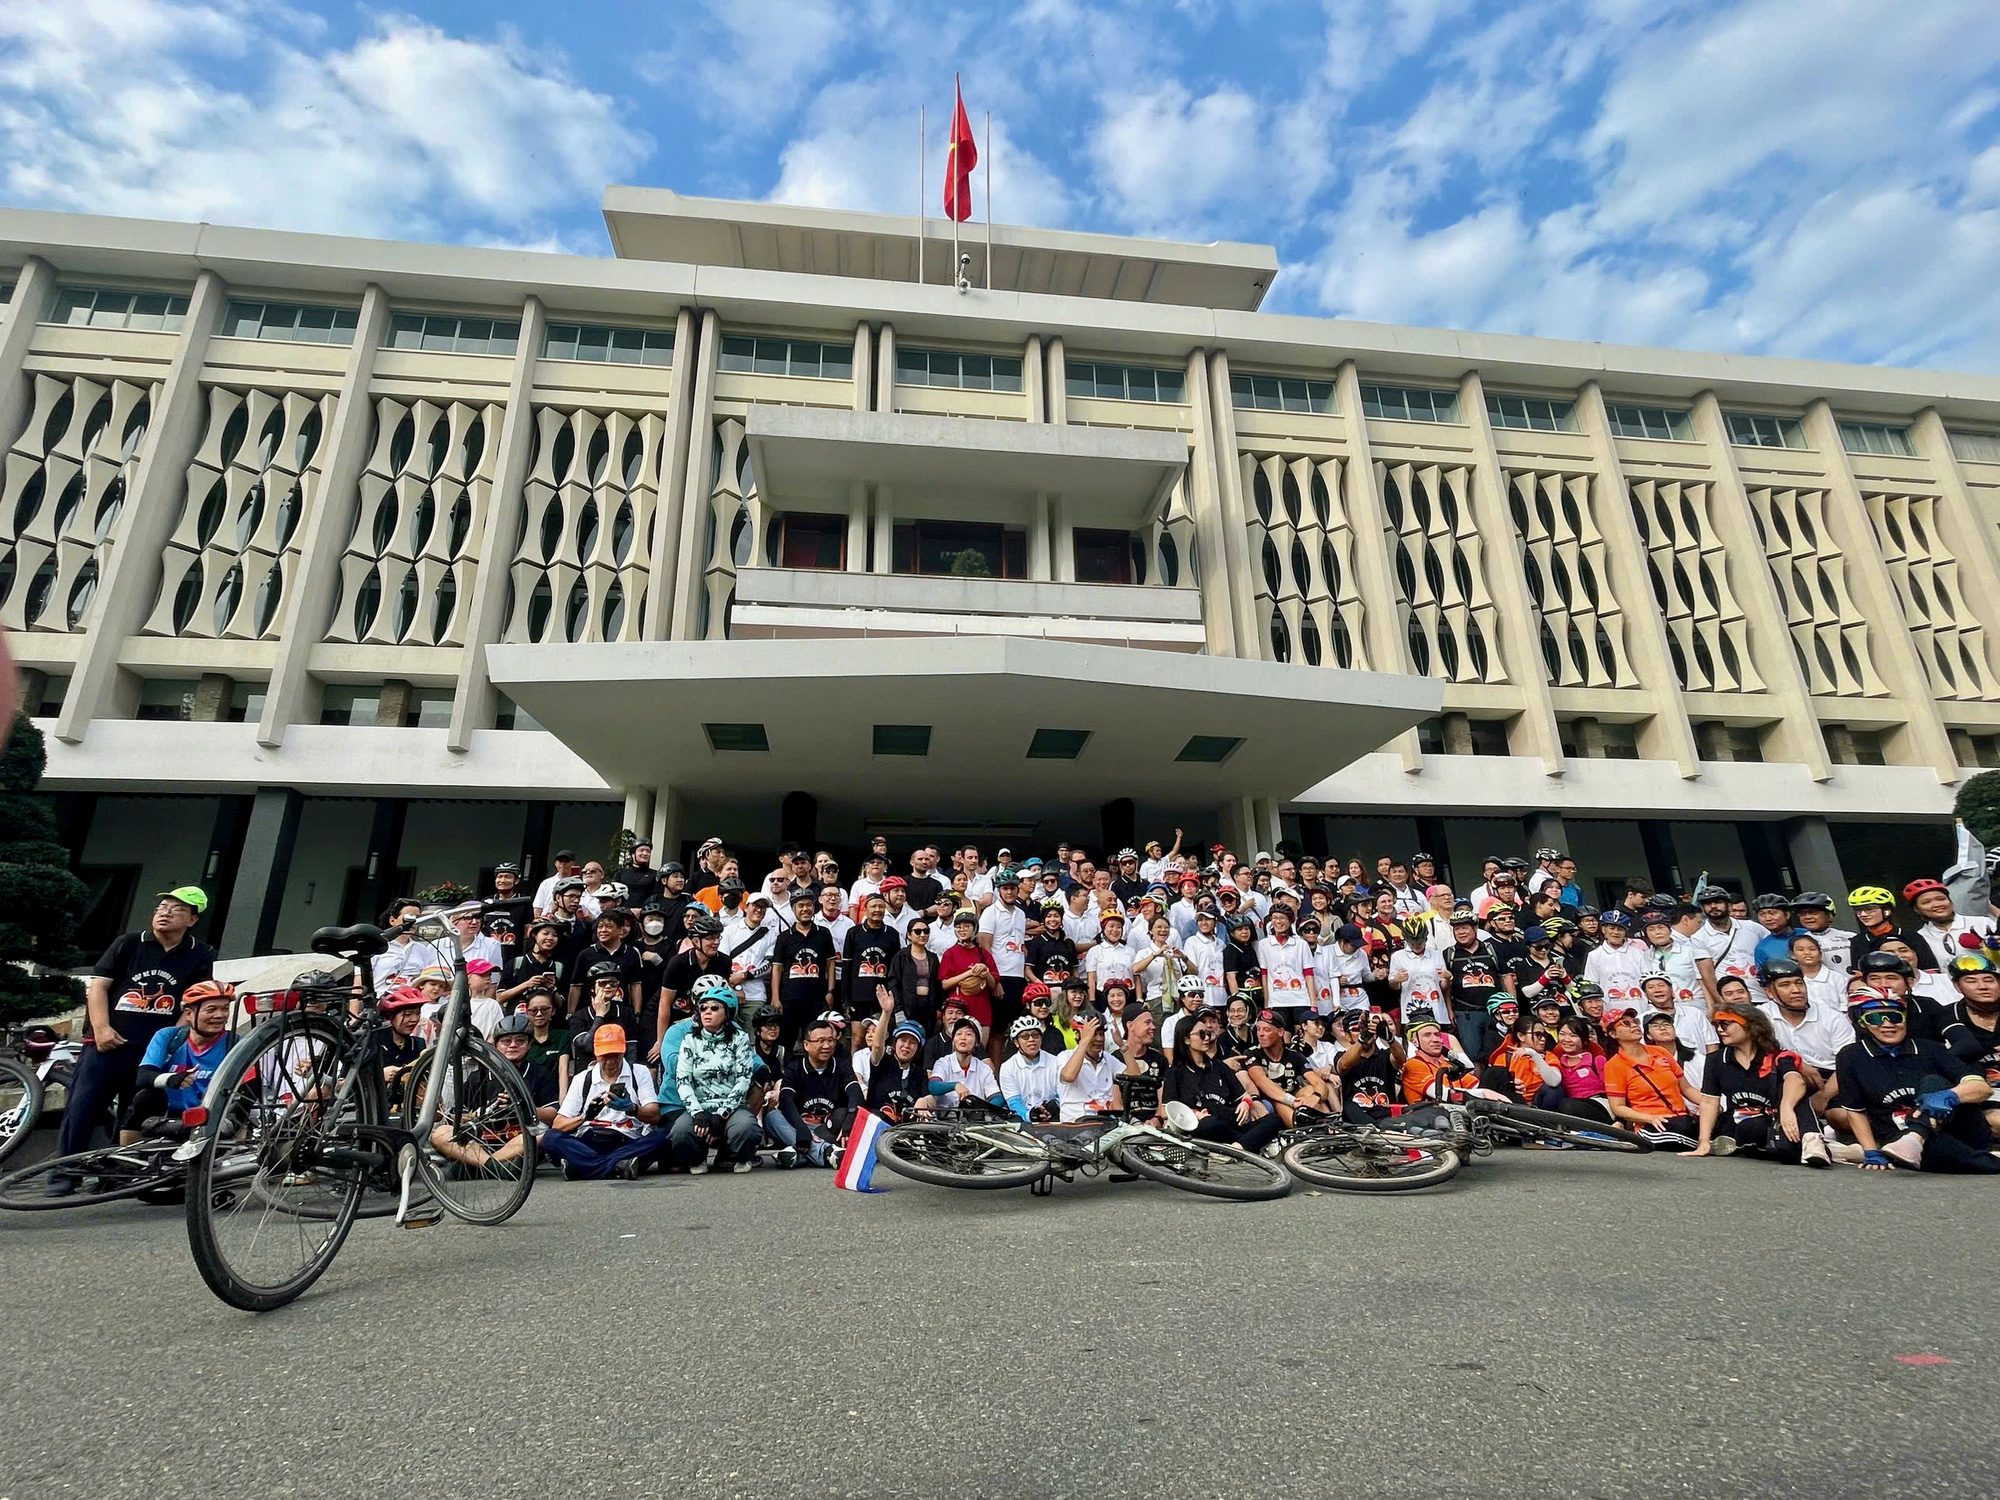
281,1173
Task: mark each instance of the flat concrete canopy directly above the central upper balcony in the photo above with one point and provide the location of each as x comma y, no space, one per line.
1111,477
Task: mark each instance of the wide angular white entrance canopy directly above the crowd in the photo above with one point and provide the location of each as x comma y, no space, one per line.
639,715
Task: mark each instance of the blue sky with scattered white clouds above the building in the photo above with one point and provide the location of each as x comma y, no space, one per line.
1779,177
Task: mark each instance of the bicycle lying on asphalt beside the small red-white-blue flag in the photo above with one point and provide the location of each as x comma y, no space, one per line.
987,1147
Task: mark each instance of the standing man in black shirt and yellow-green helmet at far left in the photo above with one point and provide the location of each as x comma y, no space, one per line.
133,993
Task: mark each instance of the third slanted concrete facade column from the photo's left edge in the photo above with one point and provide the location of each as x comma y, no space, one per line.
309,605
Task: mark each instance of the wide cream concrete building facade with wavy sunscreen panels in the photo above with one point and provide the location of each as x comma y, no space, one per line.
343,567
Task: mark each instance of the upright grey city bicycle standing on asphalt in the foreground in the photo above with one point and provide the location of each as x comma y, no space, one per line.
295,1129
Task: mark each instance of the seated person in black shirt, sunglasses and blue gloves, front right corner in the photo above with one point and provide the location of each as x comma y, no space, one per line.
1911,1103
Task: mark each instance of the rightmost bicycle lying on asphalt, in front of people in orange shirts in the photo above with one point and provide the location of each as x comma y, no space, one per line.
1431,1145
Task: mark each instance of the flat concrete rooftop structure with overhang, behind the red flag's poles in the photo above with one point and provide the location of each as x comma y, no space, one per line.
661,225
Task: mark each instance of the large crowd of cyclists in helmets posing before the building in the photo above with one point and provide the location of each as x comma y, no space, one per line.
687,1021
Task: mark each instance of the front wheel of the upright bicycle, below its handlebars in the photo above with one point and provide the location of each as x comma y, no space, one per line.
479,1159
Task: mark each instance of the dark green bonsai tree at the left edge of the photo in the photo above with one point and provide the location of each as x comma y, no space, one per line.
41,899
